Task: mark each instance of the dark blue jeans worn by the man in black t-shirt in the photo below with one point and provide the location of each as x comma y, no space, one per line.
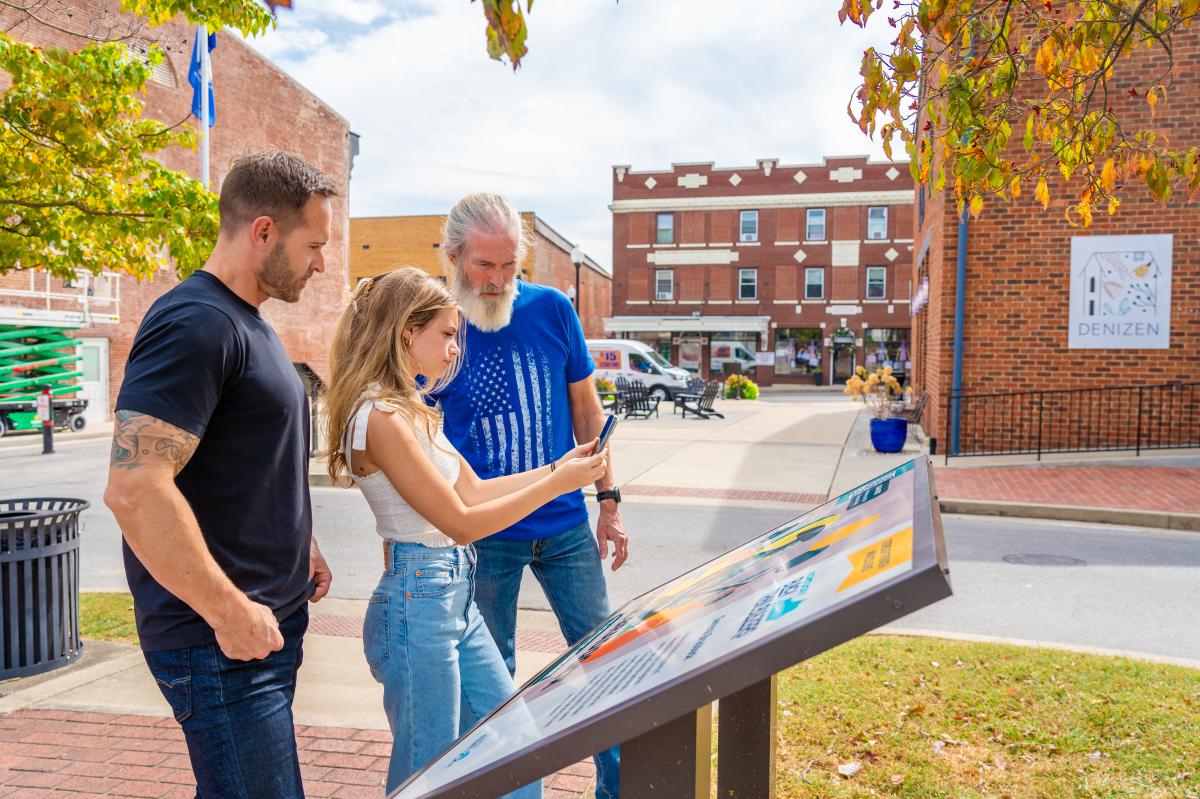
237,716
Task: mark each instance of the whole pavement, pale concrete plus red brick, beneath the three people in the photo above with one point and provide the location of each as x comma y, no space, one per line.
101,728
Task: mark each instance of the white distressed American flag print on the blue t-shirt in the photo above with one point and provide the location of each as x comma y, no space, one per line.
511,399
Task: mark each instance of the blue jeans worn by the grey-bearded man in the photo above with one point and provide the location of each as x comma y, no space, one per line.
568,568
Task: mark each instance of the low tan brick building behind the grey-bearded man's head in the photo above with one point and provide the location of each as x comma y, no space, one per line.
383,243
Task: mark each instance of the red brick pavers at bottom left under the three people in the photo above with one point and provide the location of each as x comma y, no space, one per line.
67,755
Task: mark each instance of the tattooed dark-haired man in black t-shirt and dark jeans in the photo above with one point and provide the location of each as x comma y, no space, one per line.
209,483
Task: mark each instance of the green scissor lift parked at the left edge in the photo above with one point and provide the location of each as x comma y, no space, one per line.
32,358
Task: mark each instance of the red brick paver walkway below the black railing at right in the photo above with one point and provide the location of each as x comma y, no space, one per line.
1151,489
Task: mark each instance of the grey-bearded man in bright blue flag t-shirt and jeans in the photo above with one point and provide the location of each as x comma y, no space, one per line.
524,398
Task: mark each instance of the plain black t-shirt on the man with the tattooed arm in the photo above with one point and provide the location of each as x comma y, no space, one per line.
206,362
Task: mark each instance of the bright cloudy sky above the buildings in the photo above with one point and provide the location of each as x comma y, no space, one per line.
641,82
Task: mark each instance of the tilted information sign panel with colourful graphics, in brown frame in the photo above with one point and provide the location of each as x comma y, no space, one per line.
856,563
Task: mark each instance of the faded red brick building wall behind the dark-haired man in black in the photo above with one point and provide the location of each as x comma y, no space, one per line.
257,107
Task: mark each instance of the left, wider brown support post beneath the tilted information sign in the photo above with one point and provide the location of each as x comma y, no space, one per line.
671,761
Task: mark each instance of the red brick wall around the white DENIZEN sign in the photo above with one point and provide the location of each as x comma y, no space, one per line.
1018,275
